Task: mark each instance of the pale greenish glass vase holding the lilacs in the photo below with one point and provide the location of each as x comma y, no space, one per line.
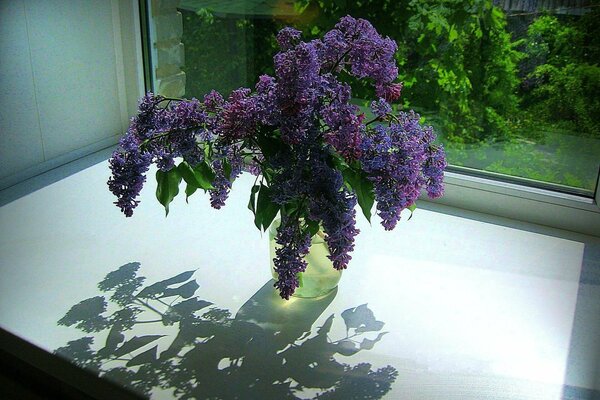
320,277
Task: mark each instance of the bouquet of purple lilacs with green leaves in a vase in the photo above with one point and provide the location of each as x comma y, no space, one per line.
312,151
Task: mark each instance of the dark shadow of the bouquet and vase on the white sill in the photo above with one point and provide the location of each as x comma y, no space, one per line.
195,349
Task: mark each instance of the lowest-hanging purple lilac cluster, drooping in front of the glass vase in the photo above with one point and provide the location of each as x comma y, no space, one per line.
289,260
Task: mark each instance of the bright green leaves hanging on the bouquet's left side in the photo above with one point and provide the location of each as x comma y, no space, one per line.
198,177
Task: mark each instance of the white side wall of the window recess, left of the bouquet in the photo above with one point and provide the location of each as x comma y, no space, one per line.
68,73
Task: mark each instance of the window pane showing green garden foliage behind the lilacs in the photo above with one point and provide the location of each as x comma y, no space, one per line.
510,86
